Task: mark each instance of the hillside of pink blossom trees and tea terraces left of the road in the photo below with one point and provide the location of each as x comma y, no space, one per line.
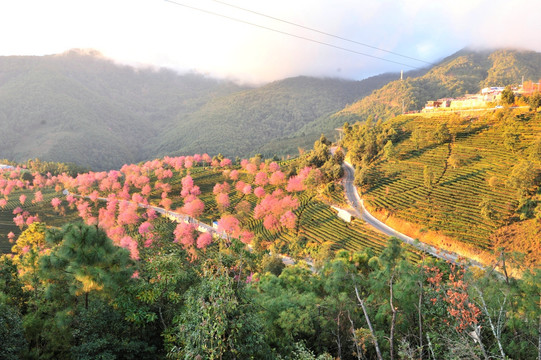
312,229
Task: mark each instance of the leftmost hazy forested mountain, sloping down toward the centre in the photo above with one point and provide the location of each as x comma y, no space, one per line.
82,108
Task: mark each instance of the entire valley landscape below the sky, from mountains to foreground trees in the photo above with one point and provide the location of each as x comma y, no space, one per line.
399,236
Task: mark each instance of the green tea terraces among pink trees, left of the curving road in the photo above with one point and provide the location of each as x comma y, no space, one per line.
316,222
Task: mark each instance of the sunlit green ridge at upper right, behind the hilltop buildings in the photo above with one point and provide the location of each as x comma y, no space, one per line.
467,71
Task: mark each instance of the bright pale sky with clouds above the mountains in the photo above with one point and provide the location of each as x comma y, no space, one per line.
259,49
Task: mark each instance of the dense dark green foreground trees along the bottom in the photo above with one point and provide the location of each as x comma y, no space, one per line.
226,305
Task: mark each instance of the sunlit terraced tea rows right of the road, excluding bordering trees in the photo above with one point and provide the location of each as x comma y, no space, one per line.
451,206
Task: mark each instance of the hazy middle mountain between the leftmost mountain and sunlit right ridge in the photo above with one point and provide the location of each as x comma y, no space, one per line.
250,121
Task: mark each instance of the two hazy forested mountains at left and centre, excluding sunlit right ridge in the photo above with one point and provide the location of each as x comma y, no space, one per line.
80,107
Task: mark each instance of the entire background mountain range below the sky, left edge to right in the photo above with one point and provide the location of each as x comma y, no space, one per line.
83,108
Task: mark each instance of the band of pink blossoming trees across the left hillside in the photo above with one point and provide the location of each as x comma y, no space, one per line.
129,192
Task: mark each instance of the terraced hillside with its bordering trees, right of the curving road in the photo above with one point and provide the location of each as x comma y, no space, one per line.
469,183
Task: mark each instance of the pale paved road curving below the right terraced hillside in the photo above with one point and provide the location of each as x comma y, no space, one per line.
358,210
